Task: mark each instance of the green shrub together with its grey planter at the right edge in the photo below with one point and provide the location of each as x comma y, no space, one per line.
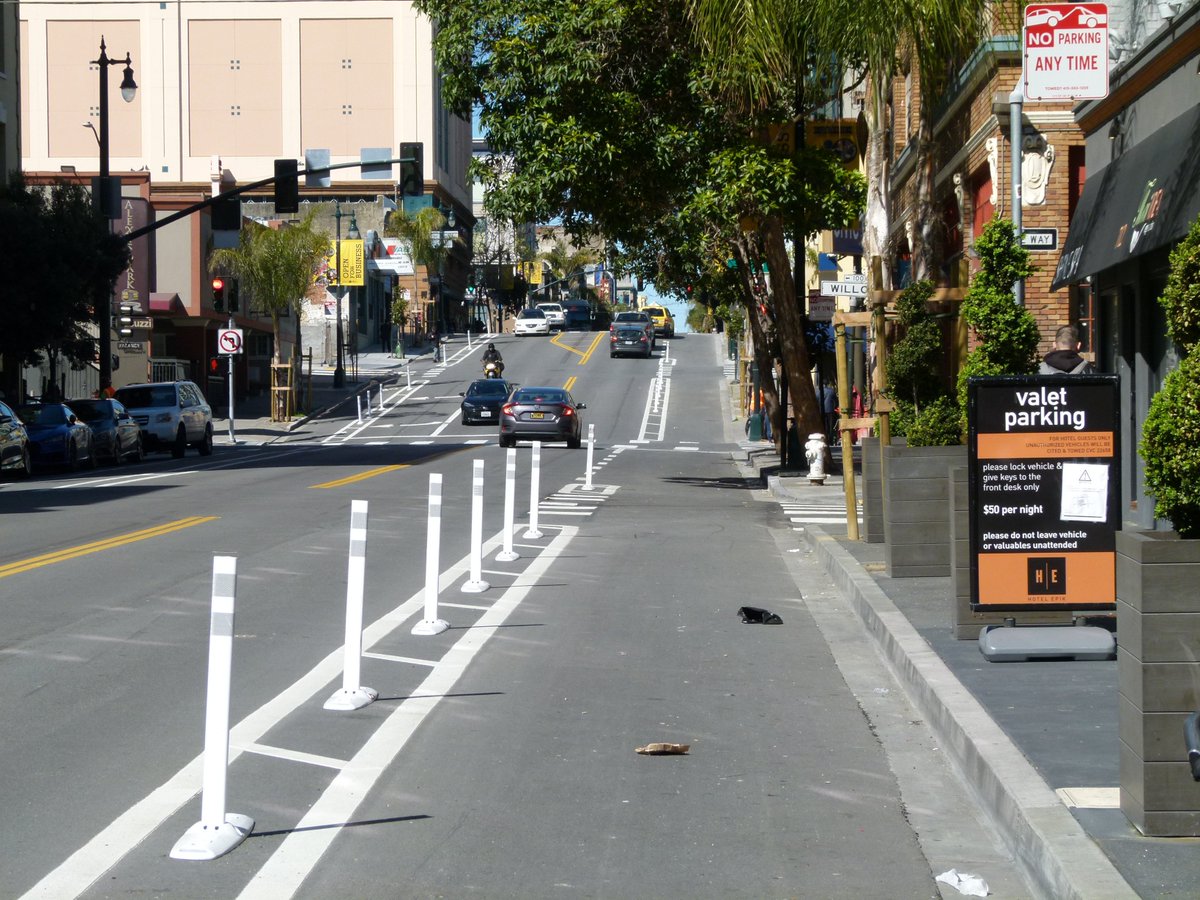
1159,620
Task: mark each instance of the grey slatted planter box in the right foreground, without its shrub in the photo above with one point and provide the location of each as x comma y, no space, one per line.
1159,680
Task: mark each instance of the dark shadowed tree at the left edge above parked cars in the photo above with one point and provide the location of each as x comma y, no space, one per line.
68,257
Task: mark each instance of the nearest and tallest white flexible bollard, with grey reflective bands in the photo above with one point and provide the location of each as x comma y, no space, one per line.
218,832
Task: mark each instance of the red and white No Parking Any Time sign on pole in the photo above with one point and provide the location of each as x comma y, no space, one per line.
1066,51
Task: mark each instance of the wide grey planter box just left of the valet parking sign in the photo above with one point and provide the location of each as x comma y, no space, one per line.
916,509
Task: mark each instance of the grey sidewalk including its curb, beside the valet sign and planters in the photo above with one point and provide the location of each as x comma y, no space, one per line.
1035,742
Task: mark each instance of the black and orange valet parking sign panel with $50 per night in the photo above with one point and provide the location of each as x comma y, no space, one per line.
1045,482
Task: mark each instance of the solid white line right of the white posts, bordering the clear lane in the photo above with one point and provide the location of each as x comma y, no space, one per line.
302,850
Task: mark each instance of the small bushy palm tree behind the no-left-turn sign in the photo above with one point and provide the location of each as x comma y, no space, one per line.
274,267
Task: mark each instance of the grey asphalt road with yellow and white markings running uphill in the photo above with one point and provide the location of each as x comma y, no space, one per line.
500,759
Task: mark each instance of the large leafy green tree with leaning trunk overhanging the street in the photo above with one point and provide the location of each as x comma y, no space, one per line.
556,93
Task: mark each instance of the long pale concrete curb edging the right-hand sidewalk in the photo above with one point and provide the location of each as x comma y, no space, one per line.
1055,854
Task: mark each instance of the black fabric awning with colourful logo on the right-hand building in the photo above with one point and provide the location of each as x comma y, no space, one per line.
1144,200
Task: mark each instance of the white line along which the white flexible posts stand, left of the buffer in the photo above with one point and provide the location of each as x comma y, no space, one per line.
83,868
